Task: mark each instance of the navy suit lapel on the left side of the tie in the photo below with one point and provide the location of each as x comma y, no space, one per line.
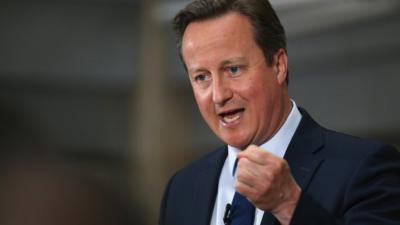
206,186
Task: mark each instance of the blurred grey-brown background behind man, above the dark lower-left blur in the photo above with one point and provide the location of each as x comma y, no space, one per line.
99,83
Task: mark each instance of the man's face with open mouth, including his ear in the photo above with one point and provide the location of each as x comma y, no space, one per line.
242,98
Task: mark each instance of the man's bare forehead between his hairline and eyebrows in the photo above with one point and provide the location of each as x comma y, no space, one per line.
231,33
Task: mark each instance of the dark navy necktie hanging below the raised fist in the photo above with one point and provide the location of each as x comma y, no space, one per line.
242,211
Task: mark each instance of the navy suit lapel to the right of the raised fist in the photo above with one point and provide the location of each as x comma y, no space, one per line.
302,155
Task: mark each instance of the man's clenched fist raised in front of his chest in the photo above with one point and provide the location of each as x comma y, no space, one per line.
267,182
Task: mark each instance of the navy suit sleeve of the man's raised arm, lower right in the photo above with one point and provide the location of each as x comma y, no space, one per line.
372,196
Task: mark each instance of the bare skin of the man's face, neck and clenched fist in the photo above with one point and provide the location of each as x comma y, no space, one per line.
244,101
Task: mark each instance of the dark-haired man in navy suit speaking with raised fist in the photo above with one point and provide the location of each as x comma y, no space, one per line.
277,158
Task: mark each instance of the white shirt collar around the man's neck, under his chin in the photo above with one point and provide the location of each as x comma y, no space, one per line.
278,144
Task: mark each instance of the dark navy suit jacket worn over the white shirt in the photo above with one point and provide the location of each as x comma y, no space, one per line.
344,180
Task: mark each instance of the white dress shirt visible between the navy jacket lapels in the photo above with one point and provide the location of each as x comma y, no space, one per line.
276,145
